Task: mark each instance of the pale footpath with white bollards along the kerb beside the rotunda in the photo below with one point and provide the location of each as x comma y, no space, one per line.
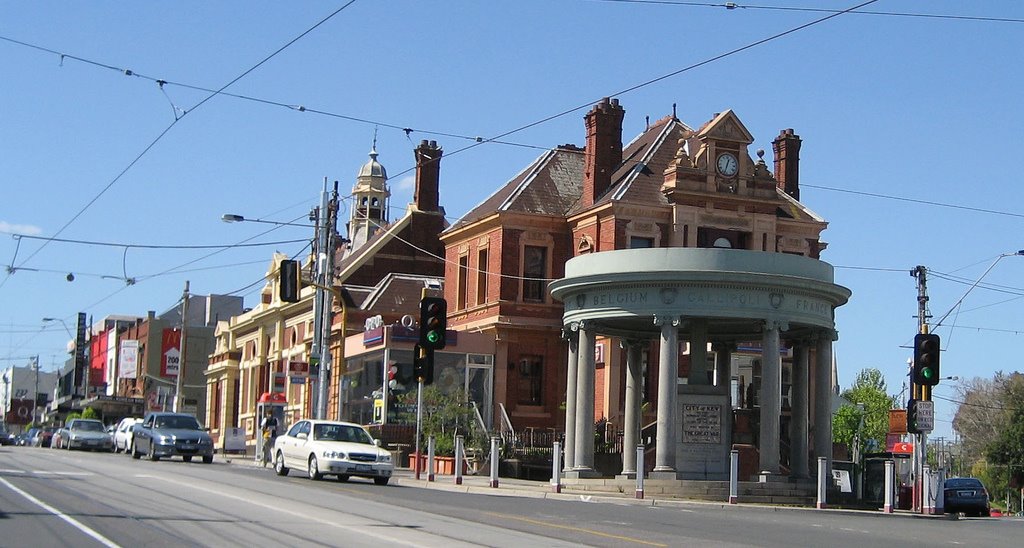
508,487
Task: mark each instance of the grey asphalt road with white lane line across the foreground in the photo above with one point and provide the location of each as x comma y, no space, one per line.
60,498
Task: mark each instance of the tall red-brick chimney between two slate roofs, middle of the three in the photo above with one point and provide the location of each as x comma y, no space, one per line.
605,149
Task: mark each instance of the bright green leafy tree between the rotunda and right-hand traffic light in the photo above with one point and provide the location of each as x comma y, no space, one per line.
870,390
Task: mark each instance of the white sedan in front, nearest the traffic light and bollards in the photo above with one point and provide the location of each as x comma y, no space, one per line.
331,448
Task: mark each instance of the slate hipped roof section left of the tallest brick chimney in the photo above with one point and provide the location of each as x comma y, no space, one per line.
549,186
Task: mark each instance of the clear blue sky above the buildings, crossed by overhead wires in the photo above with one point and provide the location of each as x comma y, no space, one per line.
897,113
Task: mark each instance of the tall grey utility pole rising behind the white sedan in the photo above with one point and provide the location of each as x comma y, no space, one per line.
323,304
